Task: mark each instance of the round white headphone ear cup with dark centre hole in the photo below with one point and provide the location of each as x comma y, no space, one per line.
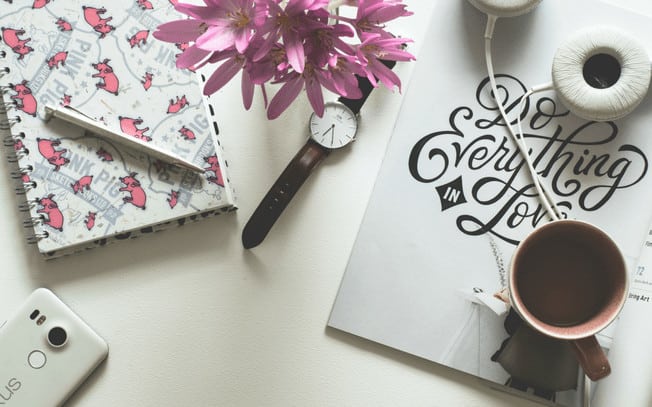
601,73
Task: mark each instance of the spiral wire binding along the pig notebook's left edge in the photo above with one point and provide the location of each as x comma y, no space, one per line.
19,151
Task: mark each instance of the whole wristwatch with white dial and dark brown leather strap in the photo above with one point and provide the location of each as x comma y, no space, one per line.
335,129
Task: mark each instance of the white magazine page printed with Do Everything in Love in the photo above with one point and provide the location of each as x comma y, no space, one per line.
454,197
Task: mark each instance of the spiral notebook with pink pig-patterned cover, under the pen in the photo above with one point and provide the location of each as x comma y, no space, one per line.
100,58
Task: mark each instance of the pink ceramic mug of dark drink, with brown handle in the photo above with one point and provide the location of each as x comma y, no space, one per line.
568,280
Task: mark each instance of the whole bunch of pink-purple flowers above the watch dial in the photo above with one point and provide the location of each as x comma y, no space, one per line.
296,44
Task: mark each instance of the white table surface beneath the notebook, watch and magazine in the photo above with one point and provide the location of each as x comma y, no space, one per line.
193,319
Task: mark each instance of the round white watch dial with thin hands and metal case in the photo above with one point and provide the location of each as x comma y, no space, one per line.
336,128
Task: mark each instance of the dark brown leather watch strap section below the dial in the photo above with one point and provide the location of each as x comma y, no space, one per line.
280,194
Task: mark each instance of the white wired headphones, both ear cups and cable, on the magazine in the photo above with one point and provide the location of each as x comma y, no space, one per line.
600,74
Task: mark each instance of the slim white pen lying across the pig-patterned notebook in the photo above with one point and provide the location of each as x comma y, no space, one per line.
71,115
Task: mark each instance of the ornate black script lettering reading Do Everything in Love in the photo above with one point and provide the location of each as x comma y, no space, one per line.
582,166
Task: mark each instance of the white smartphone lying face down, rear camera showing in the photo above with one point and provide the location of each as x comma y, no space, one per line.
46,352
